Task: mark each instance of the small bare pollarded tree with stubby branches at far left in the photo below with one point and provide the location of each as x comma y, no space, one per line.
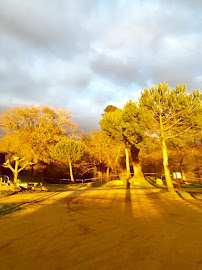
16,168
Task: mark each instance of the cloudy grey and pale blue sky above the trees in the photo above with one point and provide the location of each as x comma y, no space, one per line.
83,55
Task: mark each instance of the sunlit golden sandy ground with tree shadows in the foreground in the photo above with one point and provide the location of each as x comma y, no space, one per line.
104,229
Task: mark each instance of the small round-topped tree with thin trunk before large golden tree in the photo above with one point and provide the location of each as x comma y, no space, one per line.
68,151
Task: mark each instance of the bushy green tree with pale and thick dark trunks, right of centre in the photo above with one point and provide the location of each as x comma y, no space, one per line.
126,126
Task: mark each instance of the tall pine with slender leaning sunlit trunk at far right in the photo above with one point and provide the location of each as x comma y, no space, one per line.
170,113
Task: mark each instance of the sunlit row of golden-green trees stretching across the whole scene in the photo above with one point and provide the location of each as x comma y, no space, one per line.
156,133
